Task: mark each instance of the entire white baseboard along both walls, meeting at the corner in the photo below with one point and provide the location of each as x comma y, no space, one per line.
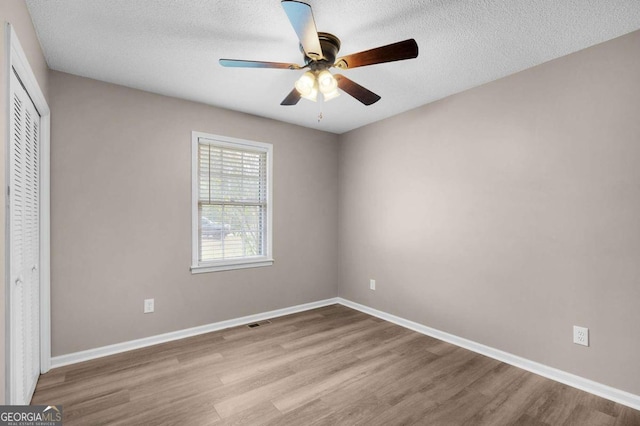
604,391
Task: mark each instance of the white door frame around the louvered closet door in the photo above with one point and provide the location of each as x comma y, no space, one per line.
16,59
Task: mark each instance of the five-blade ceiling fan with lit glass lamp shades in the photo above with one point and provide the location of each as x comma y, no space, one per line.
320,51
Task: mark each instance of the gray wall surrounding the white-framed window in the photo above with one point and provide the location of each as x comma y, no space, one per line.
121,216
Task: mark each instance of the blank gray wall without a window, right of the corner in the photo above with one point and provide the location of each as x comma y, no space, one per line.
509,213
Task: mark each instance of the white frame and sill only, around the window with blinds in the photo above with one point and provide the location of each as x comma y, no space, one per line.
266,259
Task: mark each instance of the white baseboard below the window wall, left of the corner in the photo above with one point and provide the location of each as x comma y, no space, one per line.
89,354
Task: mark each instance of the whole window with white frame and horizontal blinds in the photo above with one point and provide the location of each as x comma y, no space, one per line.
231,181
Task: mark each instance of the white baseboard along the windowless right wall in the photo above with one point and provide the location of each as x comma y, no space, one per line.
604,391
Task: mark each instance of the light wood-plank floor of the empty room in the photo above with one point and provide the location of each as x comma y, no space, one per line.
328,366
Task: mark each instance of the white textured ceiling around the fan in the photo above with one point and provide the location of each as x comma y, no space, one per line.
172,47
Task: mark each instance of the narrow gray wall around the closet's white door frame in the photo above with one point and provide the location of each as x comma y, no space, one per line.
15,12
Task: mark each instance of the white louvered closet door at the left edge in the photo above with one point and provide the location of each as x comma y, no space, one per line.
24,244
